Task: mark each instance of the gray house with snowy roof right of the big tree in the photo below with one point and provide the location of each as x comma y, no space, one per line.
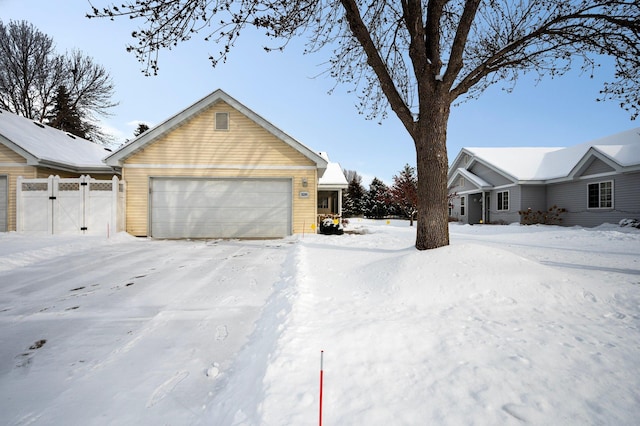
596,182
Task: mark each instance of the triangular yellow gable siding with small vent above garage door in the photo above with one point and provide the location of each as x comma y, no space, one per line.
196,142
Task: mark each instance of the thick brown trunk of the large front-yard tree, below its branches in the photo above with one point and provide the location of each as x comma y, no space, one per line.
430,139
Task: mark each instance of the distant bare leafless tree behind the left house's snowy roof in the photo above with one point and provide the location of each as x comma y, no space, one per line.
31,74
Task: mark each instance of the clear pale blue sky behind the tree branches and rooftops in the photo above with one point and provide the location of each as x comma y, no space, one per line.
283,88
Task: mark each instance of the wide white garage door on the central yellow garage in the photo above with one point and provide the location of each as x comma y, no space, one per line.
220,208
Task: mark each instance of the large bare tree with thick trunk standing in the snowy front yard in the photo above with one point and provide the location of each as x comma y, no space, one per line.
417,57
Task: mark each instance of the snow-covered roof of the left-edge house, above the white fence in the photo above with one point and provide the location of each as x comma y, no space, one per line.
45,146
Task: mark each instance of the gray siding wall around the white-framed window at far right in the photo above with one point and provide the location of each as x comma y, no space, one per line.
573,196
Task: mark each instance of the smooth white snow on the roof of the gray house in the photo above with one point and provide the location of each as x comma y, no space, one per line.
550,163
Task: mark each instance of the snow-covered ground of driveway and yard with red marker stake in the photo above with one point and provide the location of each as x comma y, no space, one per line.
507,325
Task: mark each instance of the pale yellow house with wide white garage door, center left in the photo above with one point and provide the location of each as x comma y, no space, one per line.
219,170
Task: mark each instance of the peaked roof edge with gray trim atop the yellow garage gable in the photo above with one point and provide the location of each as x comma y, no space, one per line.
150,136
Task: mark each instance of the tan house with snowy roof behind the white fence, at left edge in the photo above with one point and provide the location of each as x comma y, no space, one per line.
33,150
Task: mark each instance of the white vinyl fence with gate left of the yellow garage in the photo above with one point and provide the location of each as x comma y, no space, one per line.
70,206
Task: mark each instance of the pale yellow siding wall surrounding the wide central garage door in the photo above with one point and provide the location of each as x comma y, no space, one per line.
213,154
